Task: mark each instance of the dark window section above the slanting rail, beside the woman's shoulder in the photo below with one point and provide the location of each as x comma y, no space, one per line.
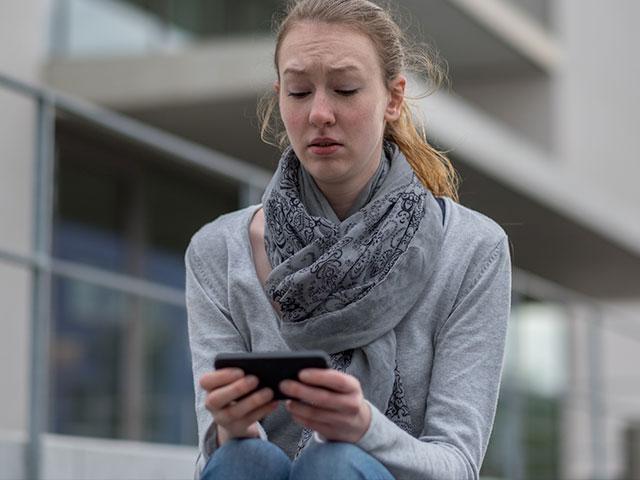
122,209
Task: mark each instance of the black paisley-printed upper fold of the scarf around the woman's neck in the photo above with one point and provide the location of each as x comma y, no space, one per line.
320,266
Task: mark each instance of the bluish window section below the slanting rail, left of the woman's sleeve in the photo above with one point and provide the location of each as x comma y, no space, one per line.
120,366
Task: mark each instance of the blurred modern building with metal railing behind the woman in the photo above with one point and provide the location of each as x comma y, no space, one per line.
127,125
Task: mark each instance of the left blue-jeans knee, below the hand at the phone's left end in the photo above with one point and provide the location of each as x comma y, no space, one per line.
247,458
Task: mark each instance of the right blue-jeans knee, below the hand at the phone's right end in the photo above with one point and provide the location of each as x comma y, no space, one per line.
337,460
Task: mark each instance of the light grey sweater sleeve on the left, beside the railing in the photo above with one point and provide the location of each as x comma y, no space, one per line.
211,331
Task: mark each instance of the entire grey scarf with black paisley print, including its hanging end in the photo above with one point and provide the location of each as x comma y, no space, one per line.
343,286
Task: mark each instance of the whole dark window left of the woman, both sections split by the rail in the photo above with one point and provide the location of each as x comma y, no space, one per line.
121,364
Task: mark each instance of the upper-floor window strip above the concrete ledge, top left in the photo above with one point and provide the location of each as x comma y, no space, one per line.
137,27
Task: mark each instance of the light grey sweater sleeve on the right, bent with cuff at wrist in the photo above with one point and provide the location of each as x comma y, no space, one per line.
461,404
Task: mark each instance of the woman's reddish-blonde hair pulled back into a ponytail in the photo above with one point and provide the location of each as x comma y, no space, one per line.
432,167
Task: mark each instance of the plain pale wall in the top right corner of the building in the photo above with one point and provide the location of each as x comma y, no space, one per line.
600,110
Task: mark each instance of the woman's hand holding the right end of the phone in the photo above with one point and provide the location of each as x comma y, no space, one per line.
329,402
